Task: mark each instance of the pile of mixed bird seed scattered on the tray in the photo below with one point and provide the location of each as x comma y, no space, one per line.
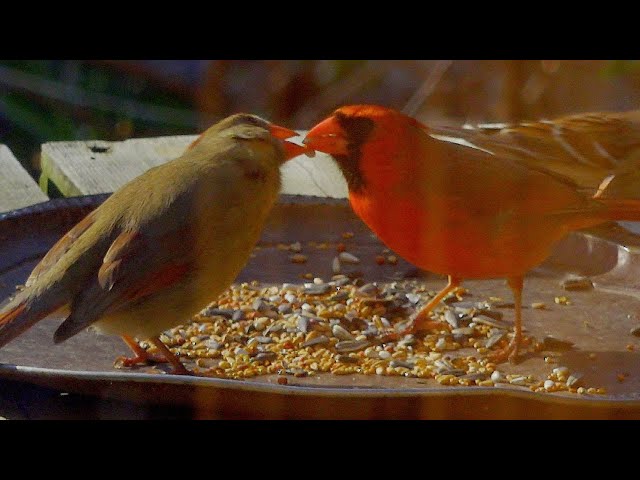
345,327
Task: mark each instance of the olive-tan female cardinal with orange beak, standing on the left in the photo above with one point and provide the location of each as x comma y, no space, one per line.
162,246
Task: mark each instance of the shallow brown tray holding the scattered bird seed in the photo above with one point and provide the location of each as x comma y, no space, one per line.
597,321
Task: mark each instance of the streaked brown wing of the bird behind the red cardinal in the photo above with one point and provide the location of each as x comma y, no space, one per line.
584,148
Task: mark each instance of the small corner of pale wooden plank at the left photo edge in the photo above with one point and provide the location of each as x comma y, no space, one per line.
17,188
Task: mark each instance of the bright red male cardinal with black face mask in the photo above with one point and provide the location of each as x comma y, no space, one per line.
453,208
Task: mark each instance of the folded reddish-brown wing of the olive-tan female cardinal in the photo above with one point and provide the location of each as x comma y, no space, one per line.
134,267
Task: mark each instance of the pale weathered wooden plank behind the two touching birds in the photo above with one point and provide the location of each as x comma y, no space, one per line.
82,168
